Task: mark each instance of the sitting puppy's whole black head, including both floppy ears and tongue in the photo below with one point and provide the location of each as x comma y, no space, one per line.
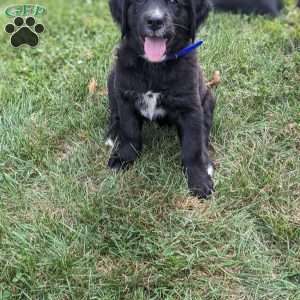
156,28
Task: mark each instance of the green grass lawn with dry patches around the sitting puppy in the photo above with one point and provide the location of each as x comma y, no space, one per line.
70,229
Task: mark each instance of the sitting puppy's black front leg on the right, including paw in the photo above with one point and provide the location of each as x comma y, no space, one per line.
194,153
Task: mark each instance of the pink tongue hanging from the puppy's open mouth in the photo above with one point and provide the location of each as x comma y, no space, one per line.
155,49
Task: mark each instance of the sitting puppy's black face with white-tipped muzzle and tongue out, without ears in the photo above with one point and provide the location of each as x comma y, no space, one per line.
157,23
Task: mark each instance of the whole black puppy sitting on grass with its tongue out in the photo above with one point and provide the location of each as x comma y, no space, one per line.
149,83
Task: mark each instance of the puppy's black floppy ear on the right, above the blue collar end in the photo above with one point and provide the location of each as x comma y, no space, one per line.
199,12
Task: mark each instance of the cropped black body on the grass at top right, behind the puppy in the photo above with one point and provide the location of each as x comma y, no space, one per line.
263,7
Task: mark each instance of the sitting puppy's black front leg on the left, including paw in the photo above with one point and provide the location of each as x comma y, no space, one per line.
129,142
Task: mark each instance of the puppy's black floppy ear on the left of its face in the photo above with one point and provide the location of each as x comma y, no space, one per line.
118,9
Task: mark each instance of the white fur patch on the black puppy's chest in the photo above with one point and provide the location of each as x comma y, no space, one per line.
148,106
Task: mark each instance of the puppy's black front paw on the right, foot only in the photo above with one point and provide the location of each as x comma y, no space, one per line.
201,186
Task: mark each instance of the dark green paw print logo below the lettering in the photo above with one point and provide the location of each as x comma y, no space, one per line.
24,33
